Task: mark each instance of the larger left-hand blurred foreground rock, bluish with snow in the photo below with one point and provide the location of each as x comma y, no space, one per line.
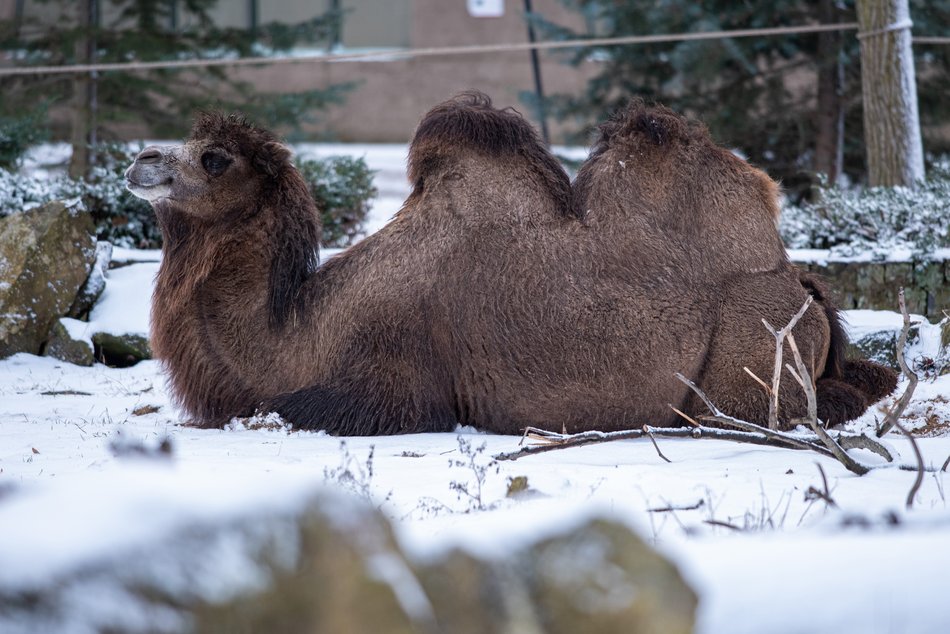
330,566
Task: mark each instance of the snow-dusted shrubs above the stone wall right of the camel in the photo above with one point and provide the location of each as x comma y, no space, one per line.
875,221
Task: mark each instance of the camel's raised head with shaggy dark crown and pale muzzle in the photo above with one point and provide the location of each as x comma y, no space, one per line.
226,164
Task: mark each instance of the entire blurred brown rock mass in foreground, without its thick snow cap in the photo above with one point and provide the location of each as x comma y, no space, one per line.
332,565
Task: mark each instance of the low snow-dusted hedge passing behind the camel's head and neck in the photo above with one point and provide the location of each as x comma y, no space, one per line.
341,186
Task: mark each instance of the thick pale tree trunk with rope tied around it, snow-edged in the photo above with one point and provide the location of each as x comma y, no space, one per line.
891,122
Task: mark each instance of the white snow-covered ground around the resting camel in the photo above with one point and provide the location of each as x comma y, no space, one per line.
762,556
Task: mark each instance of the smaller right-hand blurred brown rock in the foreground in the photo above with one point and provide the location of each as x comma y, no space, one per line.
599,577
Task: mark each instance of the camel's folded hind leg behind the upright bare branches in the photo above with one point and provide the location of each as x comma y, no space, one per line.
741,341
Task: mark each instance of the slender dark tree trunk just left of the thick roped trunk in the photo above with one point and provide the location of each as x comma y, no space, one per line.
829,145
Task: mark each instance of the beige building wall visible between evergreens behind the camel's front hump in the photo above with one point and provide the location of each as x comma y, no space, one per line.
392,96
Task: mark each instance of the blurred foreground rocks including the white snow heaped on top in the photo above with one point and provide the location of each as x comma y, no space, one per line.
230,552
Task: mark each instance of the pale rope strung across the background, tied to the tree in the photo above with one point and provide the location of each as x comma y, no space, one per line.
399,54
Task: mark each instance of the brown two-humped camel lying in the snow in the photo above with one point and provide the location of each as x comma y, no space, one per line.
498,296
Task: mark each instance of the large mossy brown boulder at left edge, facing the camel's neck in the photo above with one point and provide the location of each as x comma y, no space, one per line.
45,257
